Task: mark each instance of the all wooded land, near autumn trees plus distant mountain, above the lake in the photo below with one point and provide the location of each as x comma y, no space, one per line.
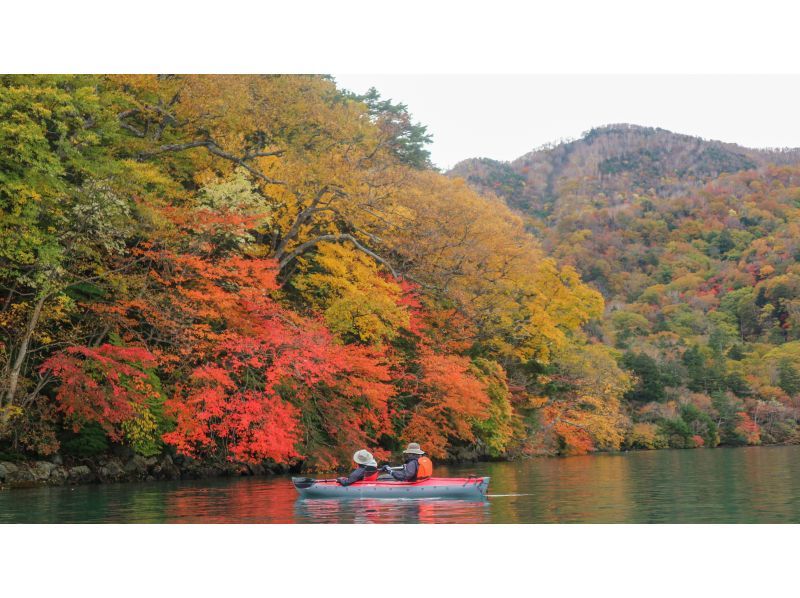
250,270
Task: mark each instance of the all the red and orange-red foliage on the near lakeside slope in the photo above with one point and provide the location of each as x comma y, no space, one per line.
249,379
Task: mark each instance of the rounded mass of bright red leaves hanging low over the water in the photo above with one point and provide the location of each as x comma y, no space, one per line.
248,402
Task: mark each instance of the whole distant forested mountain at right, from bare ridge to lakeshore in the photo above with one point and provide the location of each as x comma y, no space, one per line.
695,247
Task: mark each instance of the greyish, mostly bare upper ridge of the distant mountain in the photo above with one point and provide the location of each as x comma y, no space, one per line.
614,161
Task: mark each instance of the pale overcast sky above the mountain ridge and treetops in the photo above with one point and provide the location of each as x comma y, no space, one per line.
505,116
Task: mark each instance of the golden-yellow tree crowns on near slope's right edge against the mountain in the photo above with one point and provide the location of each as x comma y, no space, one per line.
480,257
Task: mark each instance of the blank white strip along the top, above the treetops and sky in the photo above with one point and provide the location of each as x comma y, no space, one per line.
412,36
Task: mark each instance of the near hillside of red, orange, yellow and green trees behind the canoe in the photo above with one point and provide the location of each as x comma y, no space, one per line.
266,269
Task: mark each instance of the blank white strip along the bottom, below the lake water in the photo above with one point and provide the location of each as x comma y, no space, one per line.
402,560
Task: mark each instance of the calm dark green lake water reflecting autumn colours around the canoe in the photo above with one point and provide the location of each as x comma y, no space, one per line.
745,485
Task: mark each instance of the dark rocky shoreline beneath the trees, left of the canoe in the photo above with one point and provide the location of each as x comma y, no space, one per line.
62,471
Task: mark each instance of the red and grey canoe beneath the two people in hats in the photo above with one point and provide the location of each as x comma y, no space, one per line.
470,488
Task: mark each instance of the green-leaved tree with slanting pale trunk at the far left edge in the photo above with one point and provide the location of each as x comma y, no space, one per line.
67,212
